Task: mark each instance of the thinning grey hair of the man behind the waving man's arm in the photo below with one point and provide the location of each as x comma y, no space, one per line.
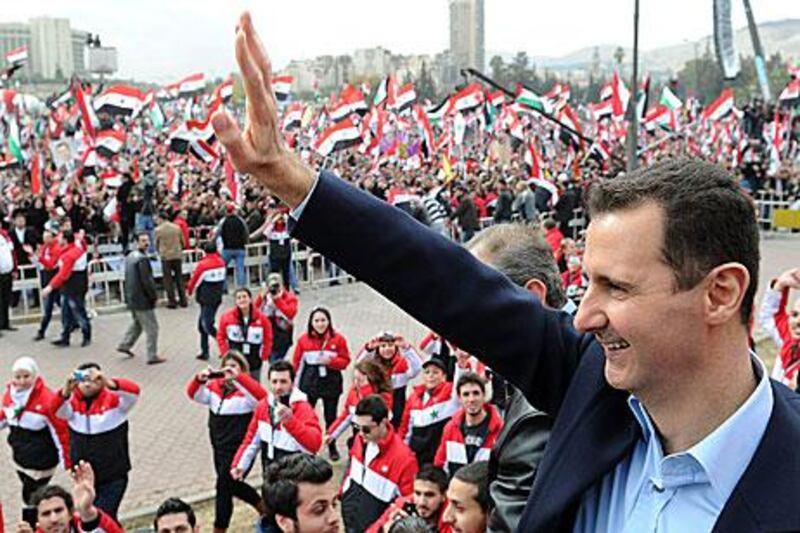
520,252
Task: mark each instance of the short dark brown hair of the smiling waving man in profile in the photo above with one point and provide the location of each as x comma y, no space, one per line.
708,220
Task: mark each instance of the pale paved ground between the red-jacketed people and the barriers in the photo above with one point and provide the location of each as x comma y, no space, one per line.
169,441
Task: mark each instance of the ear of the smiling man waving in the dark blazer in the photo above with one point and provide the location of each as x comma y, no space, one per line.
726,286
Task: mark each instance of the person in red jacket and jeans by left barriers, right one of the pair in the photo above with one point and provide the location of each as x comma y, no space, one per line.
72,279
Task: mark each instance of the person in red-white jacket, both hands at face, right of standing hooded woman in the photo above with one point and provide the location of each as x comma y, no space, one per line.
400,361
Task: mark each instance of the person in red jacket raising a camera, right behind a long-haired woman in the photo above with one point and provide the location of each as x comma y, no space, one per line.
279,304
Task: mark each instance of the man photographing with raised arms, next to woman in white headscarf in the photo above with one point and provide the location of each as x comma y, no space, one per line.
96,409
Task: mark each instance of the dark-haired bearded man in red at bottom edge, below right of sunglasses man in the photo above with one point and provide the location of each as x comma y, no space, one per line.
428,502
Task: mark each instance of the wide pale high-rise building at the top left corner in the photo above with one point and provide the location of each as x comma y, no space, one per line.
54,49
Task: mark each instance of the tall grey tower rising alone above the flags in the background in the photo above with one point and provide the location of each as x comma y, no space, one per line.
466,34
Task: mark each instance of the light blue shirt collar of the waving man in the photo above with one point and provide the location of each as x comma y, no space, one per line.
723,455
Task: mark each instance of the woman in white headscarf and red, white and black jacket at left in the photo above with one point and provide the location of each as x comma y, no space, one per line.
39,440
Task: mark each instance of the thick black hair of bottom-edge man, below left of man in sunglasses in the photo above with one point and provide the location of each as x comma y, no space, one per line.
282,479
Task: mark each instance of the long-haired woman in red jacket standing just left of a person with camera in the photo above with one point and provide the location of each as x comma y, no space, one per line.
243,328
